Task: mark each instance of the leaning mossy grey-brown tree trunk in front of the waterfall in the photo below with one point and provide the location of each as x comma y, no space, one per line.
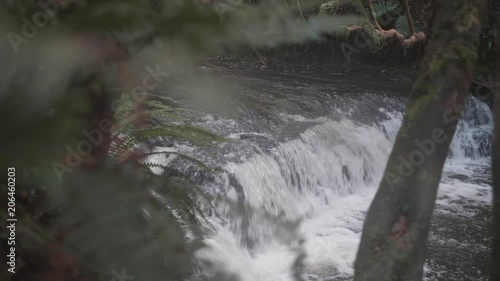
393,243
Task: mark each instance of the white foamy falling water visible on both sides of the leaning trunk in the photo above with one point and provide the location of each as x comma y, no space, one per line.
325,179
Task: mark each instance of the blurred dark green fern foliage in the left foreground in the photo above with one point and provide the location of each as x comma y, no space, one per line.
79,102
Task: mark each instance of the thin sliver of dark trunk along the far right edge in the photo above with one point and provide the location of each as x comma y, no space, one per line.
495,261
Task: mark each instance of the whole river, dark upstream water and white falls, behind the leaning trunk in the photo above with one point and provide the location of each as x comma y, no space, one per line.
307,151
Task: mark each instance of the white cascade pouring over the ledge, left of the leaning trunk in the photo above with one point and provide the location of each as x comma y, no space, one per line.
318,177
